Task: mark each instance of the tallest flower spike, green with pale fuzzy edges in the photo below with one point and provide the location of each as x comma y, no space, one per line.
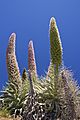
55,44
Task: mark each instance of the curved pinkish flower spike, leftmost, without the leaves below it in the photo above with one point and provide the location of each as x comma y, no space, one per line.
12,65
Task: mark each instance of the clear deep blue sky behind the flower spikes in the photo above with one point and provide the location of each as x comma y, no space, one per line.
29,19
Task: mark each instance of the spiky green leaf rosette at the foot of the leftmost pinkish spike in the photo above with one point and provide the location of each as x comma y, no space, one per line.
11,97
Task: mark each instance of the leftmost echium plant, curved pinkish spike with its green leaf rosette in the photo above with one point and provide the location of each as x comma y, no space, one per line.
14,94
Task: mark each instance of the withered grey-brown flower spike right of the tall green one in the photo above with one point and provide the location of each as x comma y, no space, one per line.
69,112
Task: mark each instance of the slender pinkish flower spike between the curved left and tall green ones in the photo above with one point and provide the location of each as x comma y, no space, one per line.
31,60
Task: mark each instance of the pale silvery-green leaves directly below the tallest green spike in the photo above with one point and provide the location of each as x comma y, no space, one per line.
46,92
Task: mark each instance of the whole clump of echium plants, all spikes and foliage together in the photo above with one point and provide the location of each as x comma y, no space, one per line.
53,97
